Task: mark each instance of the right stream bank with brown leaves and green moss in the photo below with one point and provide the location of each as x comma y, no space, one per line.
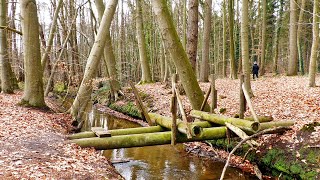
292,155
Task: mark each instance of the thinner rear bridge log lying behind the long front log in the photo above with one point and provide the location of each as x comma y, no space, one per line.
118,132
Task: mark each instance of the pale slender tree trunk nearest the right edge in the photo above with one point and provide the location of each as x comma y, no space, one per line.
315,45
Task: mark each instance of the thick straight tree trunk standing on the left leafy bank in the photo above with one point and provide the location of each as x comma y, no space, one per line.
33,88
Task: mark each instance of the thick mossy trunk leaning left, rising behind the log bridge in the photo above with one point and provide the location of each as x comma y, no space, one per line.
178,55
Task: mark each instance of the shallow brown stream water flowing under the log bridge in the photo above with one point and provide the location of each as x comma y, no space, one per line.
157,162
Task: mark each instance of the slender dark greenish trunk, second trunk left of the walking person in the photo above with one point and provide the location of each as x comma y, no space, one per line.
233,69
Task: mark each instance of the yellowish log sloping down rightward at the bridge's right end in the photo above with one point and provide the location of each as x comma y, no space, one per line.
219,119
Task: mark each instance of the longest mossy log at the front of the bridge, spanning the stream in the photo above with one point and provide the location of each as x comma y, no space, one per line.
148,139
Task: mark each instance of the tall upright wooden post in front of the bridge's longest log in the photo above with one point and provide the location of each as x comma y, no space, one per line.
174,111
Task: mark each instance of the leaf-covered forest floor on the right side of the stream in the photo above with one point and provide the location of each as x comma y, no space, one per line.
283,98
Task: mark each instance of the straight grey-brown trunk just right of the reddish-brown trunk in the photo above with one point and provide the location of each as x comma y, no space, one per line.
204,68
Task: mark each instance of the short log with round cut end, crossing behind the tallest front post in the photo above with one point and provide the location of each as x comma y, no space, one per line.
195,127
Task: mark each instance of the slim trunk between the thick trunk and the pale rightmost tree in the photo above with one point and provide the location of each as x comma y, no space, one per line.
299,31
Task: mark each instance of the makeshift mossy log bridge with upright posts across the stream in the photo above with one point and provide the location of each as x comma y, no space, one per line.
166,130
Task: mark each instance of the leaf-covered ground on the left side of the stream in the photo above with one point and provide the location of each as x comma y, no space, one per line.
33,146
